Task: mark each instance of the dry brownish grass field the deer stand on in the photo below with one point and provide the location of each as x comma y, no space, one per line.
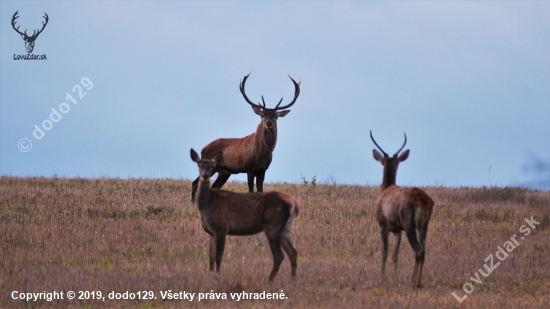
136,235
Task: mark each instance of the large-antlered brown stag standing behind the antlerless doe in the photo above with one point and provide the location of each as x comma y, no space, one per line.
251,154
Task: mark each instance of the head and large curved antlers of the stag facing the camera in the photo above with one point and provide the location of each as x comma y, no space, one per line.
270,115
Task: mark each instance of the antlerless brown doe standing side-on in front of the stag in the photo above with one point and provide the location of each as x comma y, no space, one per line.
230,213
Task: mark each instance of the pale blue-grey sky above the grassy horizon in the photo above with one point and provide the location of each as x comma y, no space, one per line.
468,81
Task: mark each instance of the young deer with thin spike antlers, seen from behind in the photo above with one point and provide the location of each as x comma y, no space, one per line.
401,209
